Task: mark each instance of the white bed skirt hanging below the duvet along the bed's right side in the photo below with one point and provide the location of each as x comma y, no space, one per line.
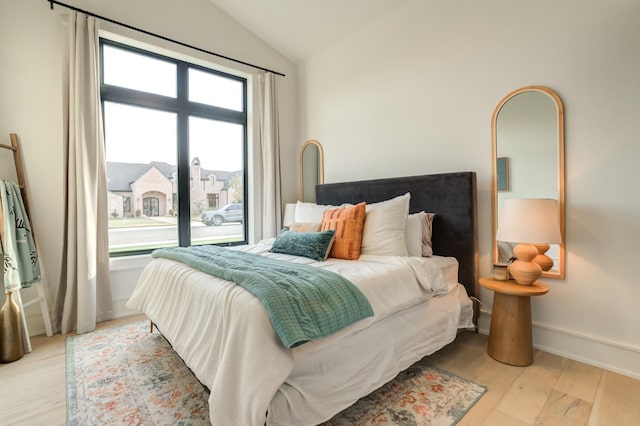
332,379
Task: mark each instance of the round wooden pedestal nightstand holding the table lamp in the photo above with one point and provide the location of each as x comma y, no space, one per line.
510,338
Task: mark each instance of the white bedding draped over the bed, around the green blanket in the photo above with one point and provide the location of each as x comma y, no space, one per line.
224,335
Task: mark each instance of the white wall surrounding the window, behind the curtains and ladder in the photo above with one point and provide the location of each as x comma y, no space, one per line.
32,42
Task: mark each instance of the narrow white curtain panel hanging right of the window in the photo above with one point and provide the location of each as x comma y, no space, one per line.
269,189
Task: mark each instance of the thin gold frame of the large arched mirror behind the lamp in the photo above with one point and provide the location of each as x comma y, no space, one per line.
559,272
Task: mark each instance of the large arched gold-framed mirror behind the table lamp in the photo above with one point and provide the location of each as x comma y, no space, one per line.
527,131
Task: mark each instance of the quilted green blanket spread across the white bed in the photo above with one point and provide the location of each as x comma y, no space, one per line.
304,303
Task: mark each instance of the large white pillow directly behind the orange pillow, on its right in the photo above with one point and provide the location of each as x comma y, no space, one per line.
384,227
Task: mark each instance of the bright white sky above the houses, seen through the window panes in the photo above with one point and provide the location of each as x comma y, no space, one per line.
141,135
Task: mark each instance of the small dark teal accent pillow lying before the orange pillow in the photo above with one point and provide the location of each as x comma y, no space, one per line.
314,245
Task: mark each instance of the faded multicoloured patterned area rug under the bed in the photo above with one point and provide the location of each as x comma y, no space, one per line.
126,375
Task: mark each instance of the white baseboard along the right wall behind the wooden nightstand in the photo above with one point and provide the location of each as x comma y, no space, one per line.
593,350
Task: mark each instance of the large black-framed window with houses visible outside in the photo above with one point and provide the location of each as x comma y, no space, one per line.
176,149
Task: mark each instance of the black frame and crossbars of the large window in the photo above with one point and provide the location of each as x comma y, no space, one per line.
183,108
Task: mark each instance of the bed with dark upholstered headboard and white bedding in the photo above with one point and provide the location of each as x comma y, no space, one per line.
224,334
